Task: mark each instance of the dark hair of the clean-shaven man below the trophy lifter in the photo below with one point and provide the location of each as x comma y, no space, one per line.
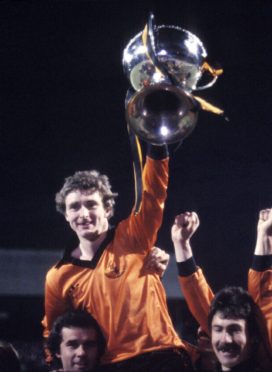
76,318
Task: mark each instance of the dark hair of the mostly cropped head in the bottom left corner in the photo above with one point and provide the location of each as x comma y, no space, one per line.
9,359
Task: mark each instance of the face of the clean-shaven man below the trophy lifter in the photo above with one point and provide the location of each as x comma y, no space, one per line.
78,349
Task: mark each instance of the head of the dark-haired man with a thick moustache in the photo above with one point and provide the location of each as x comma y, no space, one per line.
234,326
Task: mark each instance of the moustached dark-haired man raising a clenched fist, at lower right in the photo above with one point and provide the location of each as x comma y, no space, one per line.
234,322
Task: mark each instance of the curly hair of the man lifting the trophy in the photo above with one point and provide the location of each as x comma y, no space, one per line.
89,181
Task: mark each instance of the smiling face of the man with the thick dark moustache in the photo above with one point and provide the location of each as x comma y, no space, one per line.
230,341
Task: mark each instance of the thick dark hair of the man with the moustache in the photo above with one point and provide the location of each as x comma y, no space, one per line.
236,303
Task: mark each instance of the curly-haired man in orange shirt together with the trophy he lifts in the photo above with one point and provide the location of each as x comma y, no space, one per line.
105,274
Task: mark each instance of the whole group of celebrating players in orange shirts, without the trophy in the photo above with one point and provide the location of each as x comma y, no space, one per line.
105,305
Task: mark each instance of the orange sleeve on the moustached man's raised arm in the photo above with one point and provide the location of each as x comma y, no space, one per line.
198,296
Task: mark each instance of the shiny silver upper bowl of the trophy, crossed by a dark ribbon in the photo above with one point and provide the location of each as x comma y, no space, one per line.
179,51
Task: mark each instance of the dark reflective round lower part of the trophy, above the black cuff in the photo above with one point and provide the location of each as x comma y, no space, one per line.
161,114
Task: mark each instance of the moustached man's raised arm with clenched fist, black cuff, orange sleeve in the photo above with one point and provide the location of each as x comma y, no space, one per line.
194,286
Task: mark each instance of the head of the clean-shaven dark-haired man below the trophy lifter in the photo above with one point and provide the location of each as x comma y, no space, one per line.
77,341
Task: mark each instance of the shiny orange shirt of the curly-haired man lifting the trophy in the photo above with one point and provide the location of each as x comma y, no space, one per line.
128,303
